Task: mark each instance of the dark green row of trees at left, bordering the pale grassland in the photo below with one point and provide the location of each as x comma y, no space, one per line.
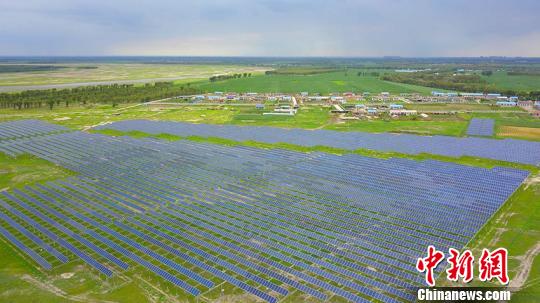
106,94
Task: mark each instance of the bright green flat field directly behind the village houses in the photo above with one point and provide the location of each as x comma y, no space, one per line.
340,81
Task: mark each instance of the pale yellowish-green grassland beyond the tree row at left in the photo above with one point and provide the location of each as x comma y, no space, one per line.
80,73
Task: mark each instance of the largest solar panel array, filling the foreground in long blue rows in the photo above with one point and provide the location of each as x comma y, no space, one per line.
269,222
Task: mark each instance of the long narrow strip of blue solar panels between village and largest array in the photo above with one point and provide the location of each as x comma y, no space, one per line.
510,150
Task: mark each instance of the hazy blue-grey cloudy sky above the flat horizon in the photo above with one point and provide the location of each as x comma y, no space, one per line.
341,28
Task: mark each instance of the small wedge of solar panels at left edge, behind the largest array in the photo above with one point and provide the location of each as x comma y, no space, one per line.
27,128
